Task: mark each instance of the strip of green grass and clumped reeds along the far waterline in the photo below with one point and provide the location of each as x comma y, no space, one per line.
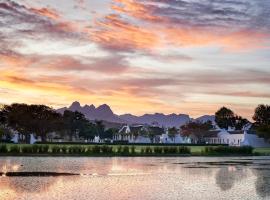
125,150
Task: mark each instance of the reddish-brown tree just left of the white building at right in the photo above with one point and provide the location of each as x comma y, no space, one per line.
197,129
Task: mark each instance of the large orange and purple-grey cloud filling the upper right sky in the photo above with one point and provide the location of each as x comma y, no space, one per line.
149,25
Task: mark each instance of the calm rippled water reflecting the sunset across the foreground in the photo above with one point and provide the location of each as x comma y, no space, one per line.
135,178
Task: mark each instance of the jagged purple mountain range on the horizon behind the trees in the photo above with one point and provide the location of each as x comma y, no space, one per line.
104,112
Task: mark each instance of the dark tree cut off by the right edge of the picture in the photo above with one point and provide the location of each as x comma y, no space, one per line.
262,121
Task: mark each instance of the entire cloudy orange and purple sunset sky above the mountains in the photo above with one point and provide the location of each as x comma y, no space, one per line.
138,56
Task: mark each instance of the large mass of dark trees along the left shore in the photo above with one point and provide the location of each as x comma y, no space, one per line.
42,120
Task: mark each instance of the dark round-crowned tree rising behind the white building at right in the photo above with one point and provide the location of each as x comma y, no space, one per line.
224,118
